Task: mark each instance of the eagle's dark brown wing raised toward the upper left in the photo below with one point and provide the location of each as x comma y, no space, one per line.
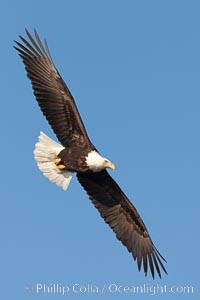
51,92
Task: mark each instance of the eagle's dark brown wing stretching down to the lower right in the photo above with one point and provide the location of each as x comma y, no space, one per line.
123,218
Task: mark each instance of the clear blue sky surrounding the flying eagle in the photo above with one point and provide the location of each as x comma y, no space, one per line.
134,70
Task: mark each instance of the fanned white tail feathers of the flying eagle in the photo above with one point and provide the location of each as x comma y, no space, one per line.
45,152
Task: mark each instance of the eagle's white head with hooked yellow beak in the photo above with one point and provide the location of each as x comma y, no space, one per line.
97,163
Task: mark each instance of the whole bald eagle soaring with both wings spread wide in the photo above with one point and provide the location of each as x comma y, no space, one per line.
77,154
